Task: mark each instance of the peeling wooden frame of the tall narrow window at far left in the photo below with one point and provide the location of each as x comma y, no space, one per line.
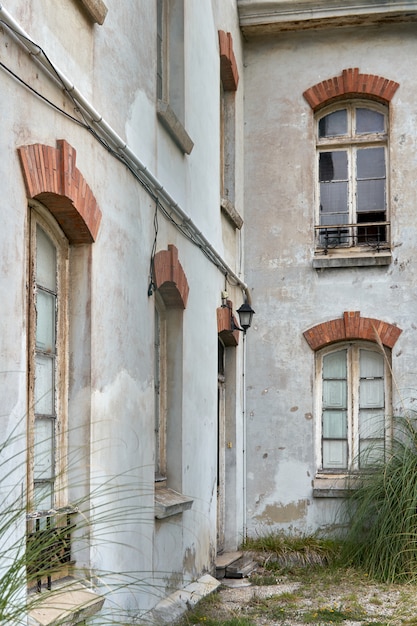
38,216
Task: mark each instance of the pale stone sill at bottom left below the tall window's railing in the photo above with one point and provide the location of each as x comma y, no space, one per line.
68,605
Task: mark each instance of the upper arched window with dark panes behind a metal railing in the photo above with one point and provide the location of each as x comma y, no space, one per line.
352,156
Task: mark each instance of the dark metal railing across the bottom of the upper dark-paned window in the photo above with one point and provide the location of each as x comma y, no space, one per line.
374,235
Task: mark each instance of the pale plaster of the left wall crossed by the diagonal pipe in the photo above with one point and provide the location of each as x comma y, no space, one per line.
111,316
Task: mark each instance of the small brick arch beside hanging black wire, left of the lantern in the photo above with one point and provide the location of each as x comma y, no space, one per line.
170,278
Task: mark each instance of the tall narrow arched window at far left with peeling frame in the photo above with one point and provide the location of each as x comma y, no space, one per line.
48,323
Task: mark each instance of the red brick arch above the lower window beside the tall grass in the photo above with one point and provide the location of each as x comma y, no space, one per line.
352,326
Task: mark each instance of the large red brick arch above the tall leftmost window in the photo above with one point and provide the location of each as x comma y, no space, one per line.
52,177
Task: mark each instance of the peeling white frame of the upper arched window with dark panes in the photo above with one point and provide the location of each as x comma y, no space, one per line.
350,143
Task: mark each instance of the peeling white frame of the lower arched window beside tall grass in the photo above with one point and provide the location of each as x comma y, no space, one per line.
353,349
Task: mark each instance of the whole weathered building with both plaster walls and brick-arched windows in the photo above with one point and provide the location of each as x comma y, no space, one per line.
166,164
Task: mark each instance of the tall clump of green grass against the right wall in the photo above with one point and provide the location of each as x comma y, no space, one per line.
382,511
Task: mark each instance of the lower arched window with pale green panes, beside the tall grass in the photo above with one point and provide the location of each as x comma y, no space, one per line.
354,399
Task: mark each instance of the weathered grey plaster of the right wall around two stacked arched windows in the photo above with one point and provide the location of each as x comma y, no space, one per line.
288,294
